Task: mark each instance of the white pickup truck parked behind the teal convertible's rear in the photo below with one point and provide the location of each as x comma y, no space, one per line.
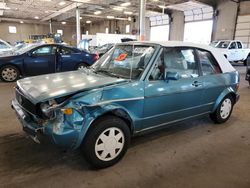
233,50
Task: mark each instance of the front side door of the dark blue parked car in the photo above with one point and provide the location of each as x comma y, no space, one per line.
40,60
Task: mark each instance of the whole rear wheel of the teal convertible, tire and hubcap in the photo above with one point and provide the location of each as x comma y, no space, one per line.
224,110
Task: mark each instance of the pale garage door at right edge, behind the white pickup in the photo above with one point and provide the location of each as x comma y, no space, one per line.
242,32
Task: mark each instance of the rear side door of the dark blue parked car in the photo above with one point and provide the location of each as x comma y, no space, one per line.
68,59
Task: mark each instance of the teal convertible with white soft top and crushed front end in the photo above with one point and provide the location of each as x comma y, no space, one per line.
135,87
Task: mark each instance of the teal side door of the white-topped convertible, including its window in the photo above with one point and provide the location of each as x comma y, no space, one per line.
173,91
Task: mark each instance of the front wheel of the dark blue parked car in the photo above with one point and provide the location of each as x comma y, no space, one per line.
9,73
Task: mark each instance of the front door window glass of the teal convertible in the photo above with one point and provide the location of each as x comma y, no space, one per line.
181,61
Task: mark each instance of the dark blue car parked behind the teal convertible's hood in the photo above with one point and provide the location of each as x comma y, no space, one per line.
40,59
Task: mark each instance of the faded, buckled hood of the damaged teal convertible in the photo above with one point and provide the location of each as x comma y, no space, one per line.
50,86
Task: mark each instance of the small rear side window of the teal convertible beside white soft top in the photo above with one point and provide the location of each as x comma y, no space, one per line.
209,64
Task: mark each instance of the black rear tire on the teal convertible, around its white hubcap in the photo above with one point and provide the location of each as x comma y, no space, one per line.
217,116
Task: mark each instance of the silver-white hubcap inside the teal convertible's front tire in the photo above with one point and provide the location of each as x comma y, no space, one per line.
109,144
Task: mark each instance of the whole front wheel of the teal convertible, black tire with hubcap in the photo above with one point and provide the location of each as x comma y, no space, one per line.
104,126
